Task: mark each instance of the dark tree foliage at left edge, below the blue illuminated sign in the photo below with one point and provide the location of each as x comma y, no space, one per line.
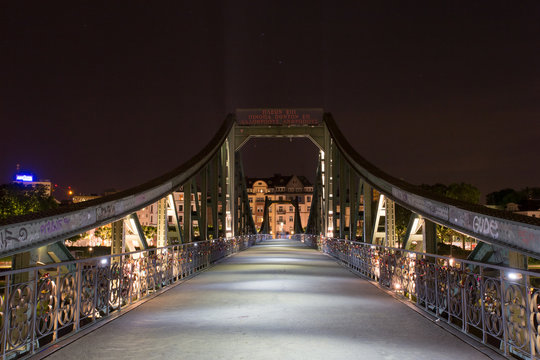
17,199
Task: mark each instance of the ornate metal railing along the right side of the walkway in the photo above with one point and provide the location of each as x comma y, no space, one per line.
498,306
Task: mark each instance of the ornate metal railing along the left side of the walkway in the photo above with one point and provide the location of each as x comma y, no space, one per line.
41,305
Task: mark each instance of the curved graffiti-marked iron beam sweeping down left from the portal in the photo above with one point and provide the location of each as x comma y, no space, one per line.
37,229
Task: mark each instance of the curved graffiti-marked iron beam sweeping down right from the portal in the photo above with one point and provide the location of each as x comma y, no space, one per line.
513,231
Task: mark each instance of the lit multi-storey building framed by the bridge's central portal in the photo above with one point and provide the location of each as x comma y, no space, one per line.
278,187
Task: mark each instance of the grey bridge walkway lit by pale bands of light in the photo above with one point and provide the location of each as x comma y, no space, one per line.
277,300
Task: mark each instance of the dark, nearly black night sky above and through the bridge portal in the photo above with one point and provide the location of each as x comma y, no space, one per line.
110,94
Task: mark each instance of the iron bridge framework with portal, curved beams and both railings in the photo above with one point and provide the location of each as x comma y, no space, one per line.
352,200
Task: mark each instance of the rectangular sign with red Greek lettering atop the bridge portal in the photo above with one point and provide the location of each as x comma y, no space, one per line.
279,116
